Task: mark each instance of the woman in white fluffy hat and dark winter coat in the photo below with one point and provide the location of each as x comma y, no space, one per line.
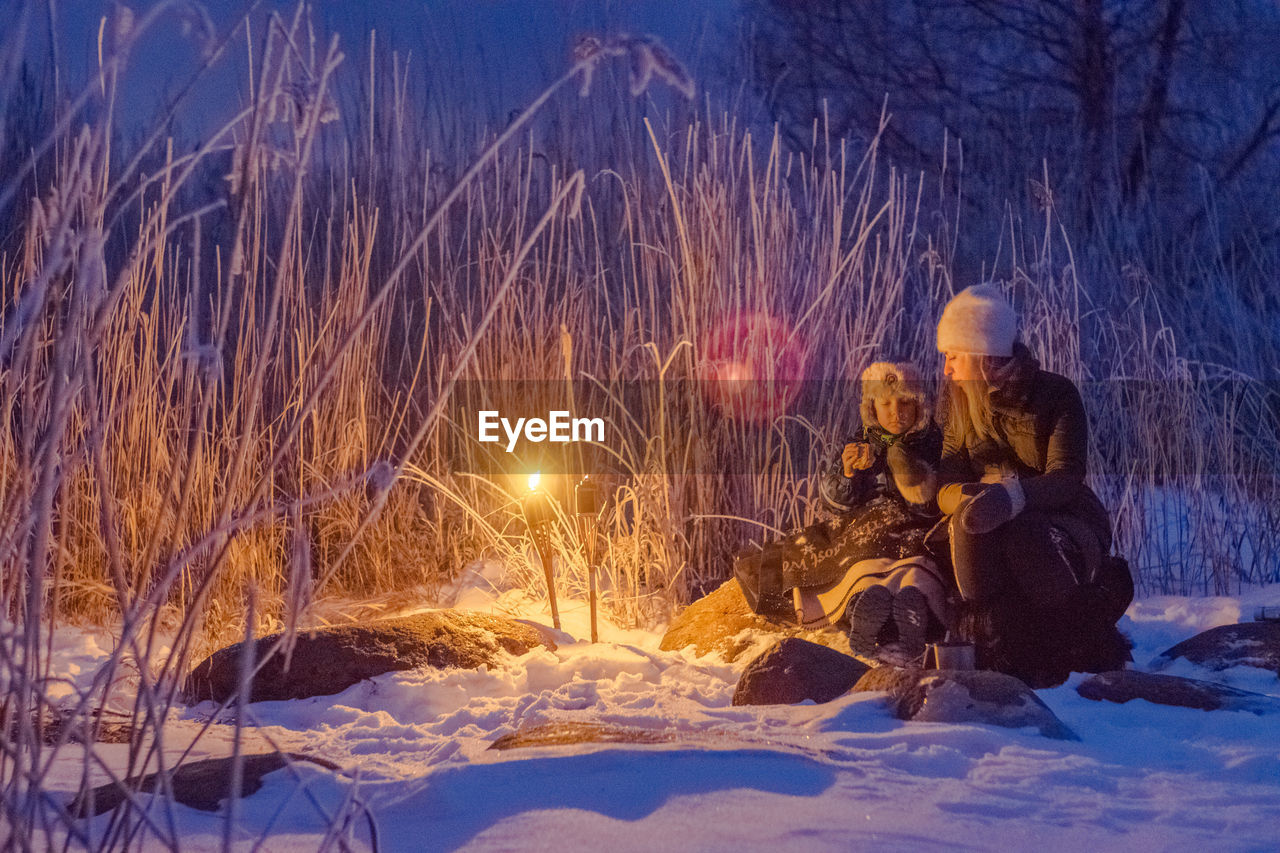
1028,539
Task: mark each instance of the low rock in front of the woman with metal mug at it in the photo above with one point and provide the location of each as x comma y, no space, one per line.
964,696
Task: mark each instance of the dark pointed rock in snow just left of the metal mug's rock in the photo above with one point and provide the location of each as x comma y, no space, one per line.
796,670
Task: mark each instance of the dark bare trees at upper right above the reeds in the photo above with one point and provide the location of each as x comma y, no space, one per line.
1130,102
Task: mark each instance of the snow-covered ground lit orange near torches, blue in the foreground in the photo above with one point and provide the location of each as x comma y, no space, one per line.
844,776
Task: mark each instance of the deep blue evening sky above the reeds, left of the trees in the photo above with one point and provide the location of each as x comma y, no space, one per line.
491,54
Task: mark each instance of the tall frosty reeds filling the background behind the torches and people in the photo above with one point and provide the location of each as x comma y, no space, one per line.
228,405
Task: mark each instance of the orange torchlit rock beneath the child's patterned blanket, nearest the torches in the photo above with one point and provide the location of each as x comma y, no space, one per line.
717,622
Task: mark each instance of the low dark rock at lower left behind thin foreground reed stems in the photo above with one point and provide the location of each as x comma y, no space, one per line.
199,784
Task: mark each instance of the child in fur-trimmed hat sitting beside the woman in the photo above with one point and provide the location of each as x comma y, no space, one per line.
883,490
